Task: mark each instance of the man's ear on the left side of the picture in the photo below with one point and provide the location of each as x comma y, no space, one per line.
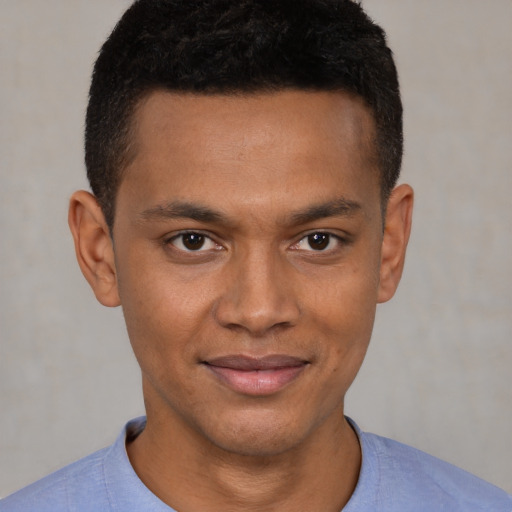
93,247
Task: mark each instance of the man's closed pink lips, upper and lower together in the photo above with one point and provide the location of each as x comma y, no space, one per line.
256,376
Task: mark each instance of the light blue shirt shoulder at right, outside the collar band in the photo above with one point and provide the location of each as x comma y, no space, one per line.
409,476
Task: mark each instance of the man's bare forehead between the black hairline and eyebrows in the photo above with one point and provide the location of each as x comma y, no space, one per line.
213,147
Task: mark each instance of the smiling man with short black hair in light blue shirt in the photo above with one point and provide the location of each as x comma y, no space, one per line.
243,158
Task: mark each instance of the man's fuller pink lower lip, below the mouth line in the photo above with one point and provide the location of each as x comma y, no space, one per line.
257,382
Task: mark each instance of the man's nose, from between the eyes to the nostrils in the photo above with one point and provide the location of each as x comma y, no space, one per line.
258,295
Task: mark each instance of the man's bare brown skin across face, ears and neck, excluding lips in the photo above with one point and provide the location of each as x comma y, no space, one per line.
254,178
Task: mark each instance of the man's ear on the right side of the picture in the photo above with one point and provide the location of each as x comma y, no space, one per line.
394,243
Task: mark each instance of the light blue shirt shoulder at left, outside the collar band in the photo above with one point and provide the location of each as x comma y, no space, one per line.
80,484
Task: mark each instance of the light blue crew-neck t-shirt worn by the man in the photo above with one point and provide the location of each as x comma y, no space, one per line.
393,478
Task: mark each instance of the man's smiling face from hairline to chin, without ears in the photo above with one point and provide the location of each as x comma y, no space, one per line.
247,244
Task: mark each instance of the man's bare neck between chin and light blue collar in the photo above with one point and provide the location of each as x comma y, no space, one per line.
189,472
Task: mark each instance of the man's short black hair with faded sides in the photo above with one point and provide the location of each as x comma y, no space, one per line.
235,47
